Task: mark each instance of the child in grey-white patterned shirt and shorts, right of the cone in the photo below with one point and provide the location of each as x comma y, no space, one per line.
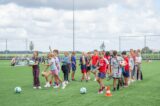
116,67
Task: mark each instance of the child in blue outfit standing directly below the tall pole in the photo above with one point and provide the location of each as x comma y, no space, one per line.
73,63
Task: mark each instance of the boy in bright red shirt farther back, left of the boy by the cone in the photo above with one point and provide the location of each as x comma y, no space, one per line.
94,63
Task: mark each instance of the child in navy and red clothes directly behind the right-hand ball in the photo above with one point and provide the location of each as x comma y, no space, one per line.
83,61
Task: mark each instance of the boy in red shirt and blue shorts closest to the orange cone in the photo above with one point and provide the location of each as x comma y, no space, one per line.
102,72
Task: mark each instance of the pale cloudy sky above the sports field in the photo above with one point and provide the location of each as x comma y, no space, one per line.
49,22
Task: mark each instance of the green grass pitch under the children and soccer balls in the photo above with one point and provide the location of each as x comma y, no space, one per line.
142,93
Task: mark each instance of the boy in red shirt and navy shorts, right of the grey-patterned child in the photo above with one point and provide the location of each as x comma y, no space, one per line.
126,68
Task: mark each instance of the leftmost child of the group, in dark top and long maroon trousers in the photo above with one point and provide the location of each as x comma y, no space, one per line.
36,70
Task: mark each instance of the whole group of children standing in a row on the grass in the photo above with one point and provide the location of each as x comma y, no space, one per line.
124,68
